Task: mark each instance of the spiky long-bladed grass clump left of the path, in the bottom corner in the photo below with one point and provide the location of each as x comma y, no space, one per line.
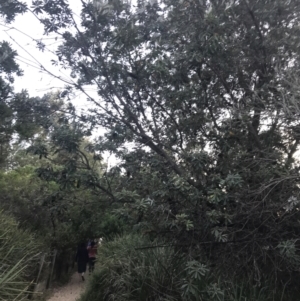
19,257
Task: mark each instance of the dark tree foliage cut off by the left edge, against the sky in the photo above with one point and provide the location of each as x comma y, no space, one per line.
15,109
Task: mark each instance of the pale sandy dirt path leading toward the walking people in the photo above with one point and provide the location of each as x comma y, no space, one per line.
71,291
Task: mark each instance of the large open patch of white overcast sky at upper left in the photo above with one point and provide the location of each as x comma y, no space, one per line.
22,35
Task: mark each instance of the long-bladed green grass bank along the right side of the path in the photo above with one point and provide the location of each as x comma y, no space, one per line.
126,271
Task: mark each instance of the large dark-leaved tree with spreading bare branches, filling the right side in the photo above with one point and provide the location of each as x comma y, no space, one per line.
198,88
